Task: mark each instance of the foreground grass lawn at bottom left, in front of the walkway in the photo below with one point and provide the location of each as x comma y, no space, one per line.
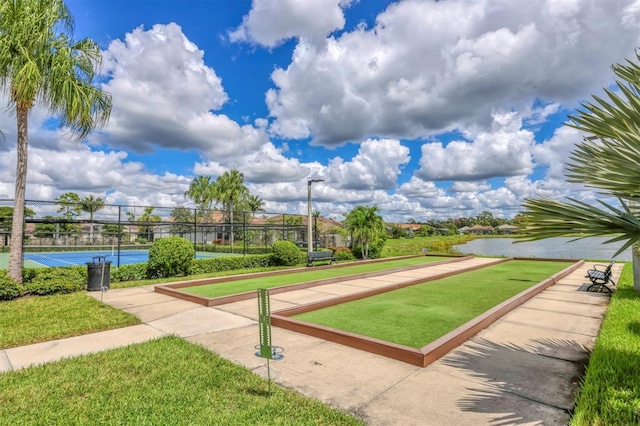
167,381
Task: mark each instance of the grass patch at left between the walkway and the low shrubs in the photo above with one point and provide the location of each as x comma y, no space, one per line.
41,318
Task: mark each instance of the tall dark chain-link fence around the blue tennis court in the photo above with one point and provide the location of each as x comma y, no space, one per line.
68,233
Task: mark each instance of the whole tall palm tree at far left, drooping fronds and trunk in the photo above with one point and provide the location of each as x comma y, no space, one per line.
40,62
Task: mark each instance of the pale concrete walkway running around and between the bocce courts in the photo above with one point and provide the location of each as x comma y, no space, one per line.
523,369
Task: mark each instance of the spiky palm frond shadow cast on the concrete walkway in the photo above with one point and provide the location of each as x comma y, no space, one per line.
530,383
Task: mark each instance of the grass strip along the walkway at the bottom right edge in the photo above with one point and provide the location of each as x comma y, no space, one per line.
610,391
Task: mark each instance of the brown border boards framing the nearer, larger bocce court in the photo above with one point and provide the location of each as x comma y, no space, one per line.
426,355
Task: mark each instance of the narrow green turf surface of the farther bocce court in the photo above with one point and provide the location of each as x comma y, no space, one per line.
309,274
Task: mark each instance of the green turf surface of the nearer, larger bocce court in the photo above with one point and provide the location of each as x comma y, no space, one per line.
417,315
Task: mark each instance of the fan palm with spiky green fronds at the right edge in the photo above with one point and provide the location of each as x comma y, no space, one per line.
606,160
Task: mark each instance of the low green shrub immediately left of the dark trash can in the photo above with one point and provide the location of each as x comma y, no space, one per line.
56,280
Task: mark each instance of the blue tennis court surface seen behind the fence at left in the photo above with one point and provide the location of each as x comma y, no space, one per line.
127,257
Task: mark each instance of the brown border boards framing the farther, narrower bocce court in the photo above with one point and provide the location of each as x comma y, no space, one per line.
173,289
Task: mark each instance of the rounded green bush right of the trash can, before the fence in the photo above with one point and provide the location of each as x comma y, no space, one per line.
170,257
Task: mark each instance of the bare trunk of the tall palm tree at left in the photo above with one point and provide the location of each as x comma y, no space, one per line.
17,224
